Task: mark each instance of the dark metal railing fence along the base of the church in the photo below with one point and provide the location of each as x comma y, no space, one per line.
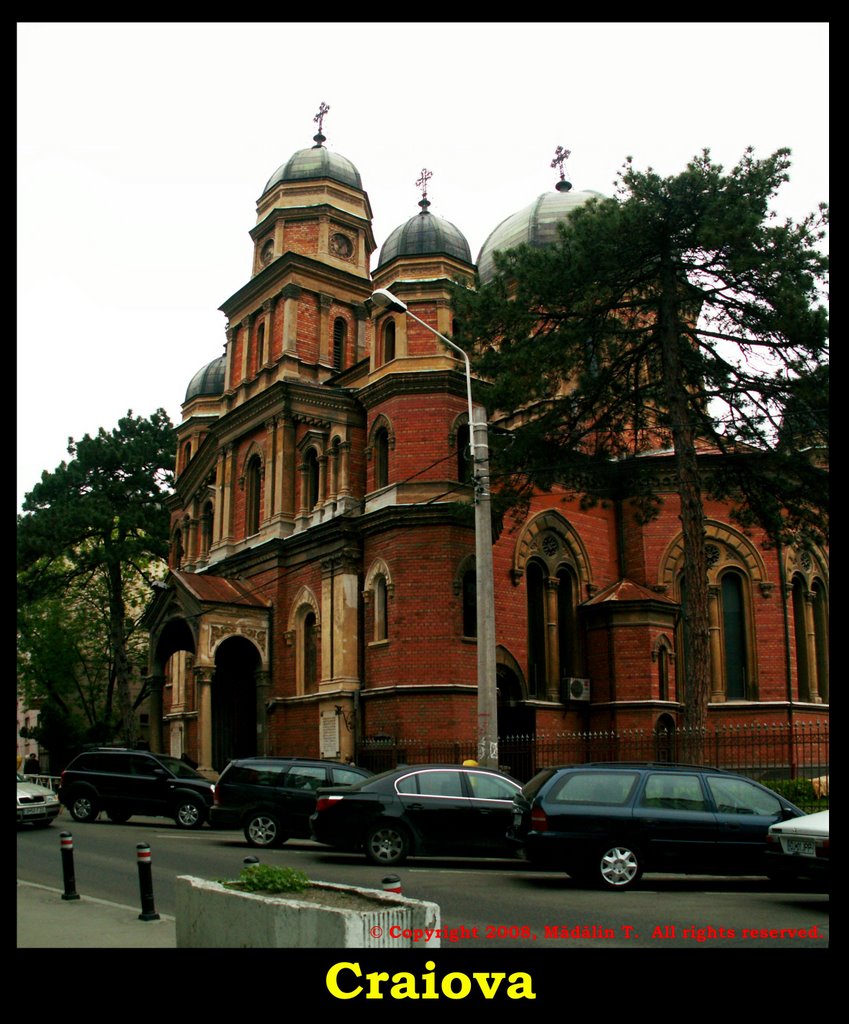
762,751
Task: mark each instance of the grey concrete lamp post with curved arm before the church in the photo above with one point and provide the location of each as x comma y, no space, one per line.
487,697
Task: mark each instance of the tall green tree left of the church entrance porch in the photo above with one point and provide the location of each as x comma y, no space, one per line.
92,538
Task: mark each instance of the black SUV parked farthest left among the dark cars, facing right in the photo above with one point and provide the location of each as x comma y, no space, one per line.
124,783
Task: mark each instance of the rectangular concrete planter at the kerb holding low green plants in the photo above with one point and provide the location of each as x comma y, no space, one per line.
209,915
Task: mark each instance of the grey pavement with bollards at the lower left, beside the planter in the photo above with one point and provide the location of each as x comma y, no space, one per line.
46,921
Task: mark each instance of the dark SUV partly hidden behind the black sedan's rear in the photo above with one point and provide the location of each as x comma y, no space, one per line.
272,799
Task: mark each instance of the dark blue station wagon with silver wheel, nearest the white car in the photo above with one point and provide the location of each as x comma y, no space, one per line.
608,824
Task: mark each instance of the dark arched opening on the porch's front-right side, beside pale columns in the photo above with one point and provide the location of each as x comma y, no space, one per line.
234,702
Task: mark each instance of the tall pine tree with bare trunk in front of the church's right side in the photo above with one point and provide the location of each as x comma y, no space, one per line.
682,314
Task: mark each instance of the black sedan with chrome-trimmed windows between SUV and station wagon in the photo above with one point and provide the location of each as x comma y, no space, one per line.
419,809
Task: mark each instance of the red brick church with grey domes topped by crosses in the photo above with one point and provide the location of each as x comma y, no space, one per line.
322,585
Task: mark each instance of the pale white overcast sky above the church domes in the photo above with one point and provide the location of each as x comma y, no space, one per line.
143,149
